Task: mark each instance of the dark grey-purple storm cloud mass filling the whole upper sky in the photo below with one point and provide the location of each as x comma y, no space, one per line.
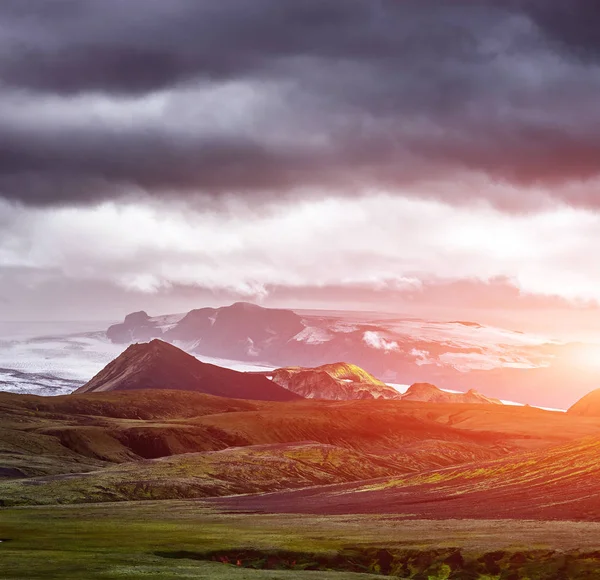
378,93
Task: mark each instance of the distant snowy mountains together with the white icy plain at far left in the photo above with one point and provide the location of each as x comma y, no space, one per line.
454,355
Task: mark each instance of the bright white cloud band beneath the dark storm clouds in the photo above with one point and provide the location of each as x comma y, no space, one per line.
388,245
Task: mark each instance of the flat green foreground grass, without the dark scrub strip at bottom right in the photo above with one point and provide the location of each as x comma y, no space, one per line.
163,540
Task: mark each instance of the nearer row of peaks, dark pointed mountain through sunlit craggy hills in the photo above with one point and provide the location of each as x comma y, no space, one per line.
160,365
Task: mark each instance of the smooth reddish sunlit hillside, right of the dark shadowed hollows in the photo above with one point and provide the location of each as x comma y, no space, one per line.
387,426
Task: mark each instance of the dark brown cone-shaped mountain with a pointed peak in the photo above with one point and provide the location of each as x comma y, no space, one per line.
159,365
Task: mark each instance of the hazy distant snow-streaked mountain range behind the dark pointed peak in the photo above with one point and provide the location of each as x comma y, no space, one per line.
456,355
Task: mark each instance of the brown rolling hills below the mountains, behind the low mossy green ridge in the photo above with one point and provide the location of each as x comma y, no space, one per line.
122,426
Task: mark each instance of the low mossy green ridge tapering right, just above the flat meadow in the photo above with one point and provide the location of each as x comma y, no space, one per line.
196,475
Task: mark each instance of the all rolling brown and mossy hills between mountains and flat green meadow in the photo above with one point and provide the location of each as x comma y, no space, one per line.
212,446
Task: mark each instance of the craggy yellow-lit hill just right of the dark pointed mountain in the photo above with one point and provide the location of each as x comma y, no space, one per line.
336,382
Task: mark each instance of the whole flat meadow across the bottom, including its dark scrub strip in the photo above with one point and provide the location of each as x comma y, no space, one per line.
163,540
